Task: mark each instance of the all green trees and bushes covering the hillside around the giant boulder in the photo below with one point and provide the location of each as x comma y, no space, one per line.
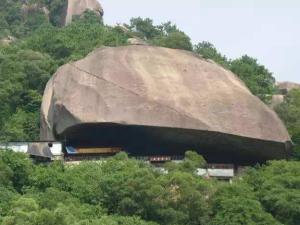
121,190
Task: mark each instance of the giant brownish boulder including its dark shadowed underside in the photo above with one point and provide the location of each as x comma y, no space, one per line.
155,100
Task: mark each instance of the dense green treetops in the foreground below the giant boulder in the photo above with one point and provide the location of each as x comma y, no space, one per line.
125,191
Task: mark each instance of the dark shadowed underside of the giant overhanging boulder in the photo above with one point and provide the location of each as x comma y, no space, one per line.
139,140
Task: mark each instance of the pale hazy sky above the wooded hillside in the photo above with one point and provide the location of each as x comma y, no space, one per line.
268,30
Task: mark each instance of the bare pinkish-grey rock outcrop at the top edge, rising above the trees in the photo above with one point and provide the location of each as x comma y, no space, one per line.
78,7
